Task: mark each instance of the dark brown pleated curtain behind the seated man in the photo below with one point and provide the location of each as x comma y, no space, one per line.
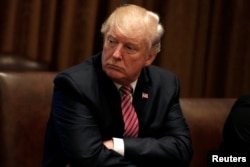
206,43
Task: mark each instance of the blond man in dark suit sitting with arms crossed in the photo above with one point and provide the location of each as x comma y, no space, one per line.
87,127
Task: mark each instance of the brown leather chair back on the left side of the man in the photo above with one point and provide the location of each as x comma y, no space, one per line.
25,99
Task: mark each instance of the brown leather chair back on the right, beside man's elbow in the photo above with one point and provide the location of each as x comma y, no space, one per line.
206,118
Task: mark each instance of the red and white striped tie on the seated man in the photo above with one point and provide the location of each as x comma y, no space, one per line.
130,119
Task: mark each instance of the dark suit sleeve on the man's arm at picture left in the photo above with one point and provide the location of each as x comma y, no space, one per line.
77,128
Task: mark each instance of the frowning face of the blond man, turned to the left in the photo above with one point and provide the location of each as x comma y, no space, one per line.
124,57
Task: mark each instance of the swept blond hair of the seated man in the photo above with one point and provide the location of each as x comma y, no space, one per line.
137,22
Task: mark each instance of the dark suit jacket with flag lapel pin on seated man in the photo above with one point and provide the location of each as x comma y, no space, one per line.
86,111
